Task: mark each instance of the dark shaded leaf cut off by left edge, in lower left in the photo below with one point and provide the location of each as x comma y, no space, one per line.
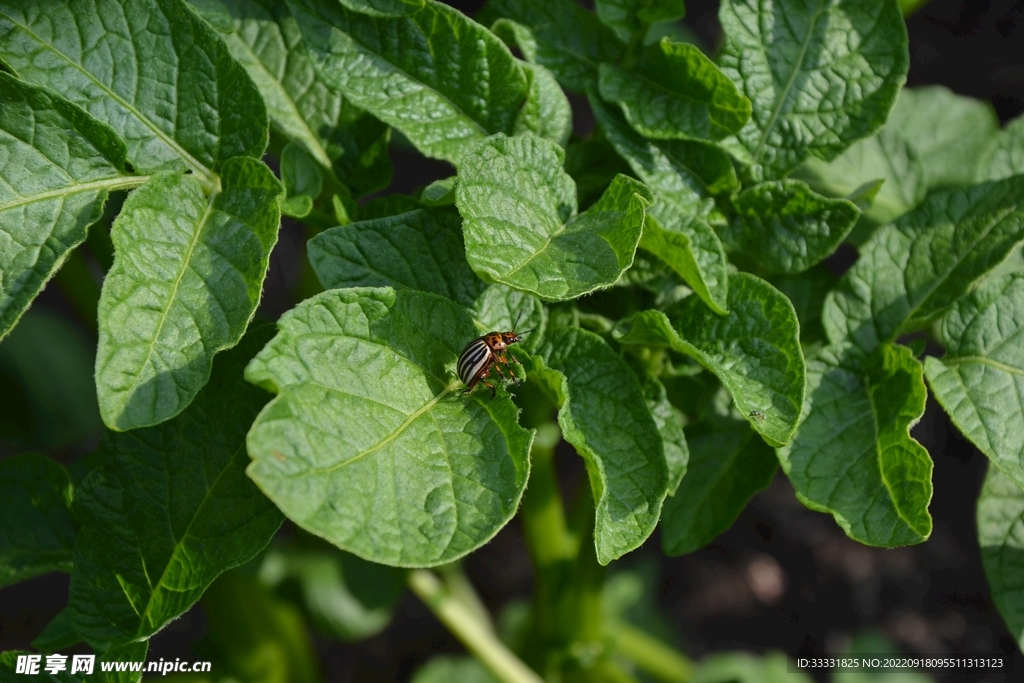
37,535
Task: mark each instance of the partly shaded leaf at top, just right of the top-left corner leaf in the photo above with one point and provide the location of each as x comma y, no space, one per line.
304,108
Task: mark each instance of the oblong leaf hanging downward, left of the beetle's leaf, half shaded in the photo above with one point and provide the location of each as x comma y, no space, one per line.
187,279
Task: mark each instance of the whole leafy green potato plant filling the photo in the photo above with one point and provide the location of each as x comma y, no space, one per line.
687,338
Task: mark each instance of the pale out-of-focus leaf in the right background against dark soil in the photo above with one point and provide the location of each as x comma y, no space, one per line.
934,139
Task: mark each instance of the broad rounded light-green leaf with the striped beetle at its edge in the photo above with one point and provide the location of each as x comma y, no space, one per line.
370,444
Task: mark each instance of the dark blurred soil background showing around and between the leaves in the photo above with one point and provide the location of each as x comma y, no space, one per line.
783,578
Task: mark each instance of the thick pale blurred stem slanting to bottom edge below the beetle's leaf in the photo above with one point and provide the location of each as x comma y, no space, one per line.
464,624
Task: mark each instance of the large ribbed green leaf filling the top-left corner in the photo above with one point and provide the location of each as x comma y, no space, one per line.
152,70
